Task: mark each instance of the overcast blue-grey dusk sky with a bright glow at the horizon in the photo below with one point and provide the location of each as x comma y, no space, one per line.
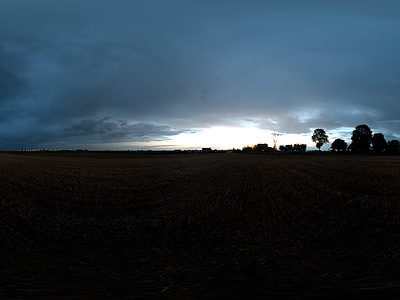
112,74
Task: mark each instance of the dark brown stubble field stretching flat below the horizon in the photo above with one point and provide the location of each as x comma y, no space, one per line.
198,225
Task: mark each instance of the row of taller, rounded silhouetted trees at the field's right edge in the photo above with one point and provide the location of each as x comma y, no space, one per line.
362,142
